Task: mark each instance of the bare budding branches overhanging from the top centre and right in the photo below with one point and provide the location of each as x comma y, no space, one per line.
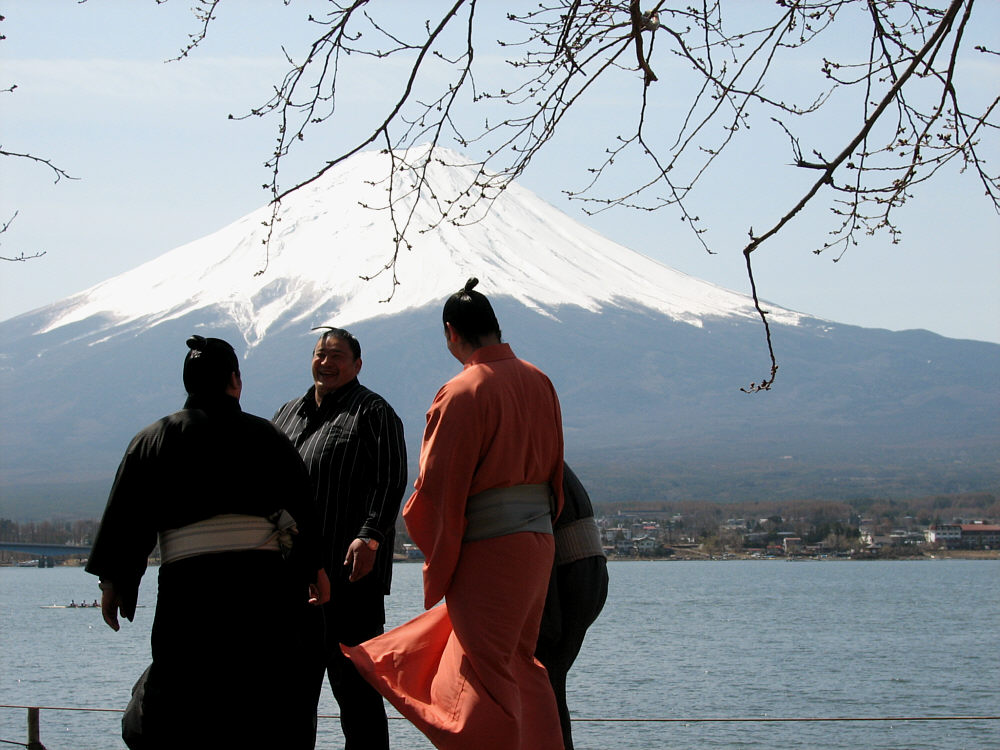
903,94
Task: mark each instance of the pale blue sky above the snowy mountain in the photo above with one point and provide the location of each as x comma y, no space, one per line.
160,164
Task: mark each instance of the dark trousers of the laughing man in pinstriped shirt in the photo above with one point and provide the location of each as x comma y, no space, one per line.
352,616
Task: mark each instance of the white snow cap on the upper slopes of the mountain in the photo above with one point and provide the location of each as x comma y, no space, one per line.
327,240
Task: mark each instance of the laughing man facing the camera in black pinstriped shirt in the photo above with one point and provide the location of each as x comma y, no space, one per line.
352,443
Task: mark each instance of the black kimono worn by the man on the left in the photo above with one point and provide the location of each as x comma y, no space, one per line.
226,638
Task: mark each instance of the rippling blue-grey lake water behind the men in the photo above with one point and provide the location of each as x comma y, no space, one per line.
677,640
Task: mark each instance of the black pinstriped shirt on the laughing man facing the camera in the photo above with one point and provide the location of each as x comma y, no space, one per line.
353,447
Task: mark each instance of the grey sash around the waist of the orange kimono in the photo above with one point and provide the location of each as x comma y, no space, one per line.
509,510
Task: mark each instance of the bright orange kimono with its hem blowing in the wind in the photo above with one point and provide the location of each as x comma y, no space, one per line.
464,672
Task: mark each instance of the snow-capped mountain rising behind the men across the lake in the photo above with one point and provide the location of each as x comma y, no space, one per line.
648,362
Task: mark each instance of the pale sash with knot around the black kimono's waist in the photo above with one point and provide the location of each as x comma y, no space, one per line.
225,533
